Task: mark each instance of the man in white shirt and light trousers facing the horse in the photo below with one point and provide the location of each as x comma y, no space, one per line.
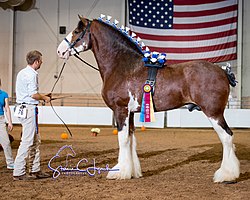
27,98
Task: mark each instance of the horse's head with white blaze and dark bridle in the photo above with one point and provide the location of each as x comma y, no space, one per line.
76,41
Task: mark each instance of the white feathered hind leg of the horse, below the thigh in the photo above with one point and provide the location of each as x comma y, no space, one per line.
230,166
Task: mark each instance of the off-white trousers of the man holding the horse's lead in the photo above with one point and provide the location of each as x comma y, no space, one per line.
29,145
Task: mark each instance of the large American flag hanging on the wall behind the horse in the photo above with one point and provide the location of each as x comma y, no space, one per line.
187,29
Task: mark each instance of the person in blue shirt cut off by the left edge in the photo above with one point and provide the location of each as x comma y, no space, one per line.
4,138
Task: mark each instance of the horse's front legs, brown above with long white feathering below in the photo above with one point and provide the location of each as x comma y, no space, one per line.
128,162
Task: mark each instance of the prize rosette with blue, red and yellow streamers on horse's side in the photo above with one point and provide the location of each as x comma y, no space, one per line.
147,108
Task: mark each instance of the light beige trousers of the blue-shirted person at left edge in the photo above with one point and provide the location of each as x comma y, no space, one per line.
5,142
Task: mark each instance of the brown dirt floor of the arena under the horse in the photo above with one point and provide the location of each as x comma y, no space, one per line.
176,164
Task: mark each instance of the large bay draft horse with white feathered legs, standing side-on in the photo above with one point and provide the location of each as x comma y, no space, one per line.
197,83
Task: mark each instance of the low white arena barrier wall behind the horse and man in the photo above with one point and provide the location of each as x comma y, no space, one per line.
179,118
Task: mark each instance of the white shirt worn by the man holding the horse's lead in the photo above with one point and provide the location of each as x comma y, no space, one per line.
26,86
